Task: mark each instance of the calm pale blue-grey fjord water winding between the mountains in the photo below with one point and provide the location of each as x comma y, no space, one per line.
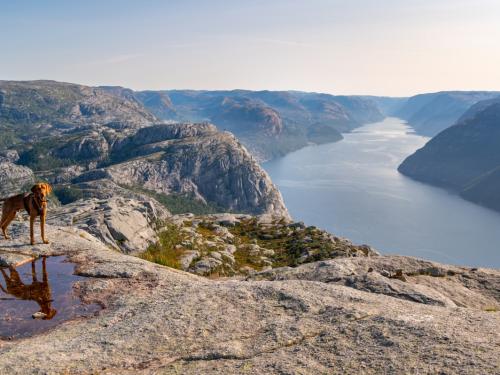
353,189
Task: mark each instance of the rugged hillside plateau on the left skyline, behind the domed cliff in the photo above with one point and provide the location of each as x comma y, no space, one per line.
32,109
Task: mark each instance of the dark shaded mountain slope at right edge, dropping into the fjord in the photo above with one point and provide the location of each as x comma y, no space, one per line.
465,157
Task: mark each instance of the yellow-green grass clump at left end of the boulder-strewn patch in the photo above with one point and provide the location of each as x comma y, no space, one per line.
167,250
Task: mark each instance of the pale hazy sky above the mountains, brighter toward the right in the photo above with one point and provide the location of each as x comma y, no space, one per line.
376,47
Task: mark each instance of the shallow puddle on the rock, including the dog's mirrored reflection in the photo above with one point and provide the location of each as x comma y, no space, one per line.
44,286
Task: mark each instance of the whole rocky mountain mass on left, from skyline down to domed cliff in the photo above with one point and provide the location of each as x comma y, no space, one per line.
95,142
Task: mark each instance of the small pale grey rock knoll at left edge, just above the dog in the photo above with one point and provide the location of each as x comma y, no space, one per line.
14,178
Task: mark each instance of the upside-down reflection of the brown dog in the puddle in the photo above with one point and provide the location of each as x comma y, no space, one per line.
36,291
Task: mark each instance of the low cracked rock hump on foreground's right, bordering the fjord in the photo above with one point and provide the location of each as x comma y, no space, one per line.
402,277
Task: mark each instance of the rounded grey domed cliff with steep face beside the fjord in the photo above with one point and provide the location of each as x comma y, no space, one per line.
200,162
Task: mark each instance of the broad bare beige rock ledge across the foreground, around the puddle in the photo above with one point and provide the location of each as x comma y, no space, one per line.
371,315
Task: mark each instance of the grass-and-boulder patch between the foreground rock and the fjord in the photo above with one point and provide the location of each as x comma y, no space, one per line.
229,245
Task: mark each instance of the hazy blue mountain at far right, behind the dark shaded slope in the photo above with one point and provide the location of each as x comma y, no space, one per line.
431,113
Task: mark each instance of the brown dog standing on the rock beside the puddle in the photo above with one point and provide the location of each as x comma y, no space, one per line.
35,204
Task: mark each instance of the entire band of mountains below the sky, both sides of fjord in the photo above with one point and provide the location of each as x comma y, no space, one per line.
82,129
